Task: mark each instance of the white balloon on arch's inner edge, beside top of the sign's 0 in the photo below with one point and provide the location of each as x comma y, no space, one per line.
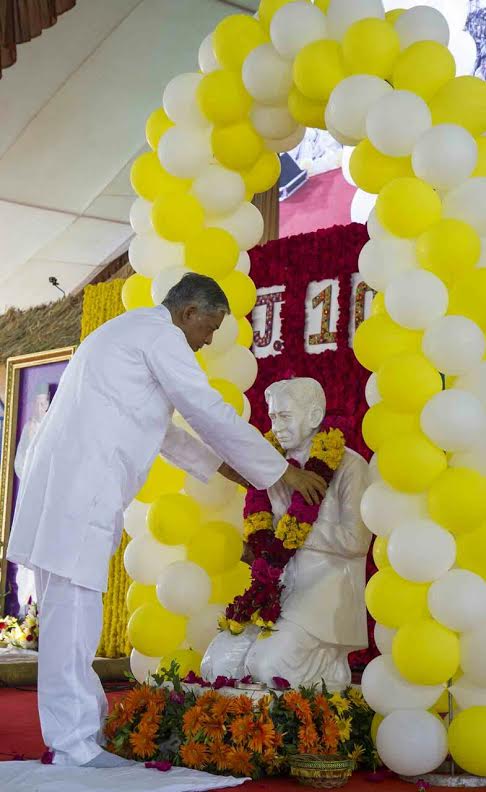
381,261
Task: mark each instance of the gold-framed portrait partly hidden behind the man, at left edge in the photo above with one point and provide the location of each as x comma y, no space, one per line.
31,383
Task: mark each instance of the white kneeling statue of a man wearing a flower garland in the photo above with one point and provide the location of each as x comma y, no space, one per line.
323,615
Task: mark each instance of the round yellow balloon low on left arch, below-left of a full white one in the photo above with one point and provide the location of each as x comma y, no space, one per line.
155,631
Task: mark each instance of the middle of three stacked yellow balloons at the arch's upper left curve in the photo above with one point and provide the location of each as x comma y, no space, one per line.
223,98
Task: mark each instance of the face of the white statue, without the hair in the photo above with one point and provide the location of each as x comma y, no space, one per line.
291,421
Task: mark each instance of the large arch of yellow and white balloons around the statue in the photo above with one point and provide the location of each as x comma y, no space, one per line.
385,84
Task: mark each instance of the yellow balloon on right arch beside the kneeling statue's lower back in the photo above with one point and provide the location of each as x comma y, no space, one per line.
393,601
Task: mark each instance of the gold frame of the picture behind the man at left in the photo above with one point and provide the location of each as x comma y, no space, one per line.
16,369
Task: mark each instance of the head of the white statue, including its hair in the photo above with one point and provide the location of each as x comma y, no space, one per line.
296,408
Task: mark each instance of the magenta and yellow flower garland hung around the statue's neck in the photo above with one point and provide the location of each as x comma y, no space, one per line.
260,605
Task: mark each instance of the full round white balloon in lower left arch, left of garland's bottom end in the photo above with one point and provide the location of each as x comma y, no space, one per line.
183,587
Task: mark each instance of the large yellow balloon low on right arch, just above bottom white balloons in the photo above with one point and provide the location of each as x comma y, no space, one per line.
426,653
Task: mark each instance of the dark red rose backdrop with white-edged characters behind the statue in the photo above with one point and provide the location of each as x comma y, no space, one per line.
311,299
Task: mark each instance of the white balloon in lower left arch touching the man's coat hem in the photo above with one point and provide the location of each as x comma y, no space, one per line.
145,558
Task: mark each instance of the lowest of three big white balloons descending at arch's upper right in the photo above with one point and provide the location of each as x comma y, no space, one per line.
445,156
